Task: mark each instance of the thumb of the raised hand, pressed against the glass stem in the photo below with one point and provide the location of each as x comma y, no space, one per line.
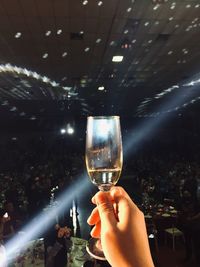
105,208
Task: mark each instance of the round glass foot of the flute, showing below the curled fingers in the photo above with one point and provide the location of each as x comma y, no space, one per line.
94,249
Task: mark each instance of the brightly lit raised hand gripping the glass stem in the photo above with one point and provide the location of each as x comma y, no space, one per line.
121,226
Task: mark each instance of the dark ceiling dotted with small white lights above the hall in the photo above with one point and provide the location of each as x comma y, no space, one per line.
55,55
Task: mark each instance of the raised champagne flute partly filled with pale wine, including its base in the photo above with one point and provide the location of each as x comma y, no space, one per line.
103,161
